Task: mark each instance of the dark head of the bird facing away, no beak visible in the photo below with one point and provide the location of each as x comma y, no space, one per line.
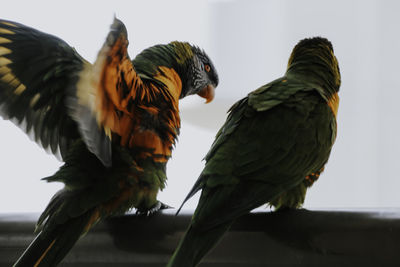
316,56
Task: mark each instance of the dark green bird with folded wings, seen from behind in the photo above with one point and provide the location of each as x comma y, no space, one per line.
273,145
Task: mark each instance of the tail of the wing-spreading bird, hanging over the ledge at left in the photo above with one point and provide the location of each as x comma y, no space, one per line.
51,245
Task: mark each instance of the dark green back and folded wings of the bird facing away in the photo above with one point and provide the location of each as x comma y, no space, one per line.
262,150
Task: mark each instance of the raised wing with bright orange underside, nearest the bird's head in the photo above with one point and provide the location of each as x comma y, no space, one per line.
102,99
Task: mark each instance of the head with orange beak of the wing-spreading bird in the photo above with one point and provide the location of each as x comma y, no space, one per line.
196,70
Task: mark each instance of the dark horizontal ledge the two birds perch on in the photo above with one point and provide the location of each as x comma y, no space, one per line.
293,238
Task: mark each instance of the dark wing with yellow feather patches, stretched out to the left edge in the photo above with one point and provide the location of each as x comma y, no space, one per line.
35,68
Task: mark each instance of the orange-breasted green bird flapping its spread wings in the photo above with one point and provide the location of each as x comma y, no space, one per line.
114,123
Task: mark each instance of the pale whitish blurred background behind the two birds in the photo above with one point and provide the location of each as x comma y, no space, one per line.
250,43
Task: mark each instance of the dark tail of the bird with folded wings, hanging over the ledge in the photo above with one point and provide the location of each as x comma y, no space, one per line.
196,244
